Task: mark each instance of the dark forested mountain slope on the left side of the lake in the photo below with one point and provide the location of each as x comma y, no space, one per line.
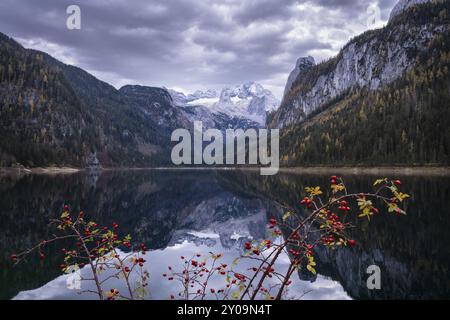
52,113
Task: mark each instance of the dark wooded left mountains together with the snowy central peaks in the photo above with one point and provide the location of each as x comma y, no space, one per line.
56,114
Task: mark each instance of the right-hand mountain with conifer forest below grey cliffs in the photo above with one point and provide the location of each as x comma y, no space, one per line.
404,121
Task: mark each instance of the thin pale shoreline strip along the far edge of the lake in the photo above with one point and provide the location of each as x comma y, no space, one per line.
306,170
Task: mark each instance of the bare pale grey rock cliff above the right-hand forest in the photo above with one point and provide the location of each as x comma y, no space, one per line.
372,60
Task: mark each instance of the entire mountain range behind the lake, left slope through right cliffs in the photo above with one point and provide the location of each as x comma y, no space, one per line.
382,100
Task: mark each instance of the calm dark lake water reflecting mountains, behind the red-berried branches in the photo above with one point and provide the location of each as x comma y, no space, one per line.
187,212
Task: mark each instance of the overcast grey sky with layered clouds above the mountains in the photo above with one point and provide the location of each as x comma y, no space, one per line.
190,44
